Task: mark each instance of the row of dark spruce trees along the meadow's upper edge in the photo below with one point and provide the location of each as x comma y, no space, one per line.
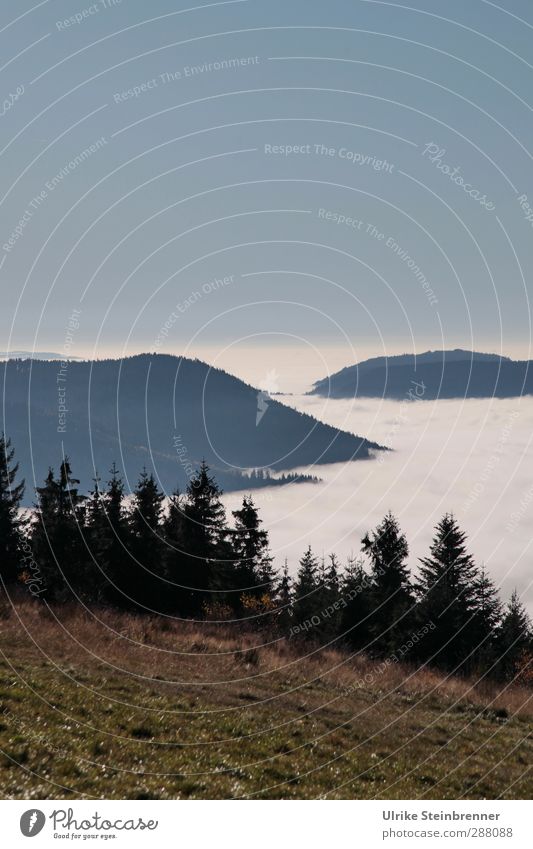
178,556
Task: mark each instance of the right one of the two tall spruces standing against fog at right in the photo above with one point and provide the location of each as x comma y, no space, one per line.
447,589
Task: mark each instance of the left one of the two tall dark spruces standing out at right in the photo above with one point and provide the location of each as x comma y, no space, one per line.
392,597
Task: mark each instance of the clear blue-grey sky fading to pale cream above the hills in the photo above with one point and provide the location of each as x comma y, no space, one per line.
266,184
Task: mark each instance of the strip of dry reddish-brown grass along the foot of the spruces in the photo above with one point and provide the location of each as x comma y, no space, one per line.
139,644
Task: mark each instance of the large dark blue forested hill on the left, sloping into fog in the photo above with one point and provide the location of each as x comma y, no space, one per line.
163,412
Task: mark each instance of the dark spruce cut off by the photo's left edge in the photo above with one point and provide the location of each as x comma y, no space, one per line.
11,526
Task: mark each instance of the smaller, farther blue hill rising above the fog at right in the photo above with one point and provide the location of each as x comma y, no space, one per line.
444,374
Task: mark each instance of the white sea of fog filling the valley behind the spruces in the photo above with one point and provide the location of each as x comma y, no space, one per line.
472,457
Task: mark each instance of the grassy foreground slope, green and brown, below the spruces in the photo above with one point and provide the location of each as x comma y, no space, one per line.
130,708
